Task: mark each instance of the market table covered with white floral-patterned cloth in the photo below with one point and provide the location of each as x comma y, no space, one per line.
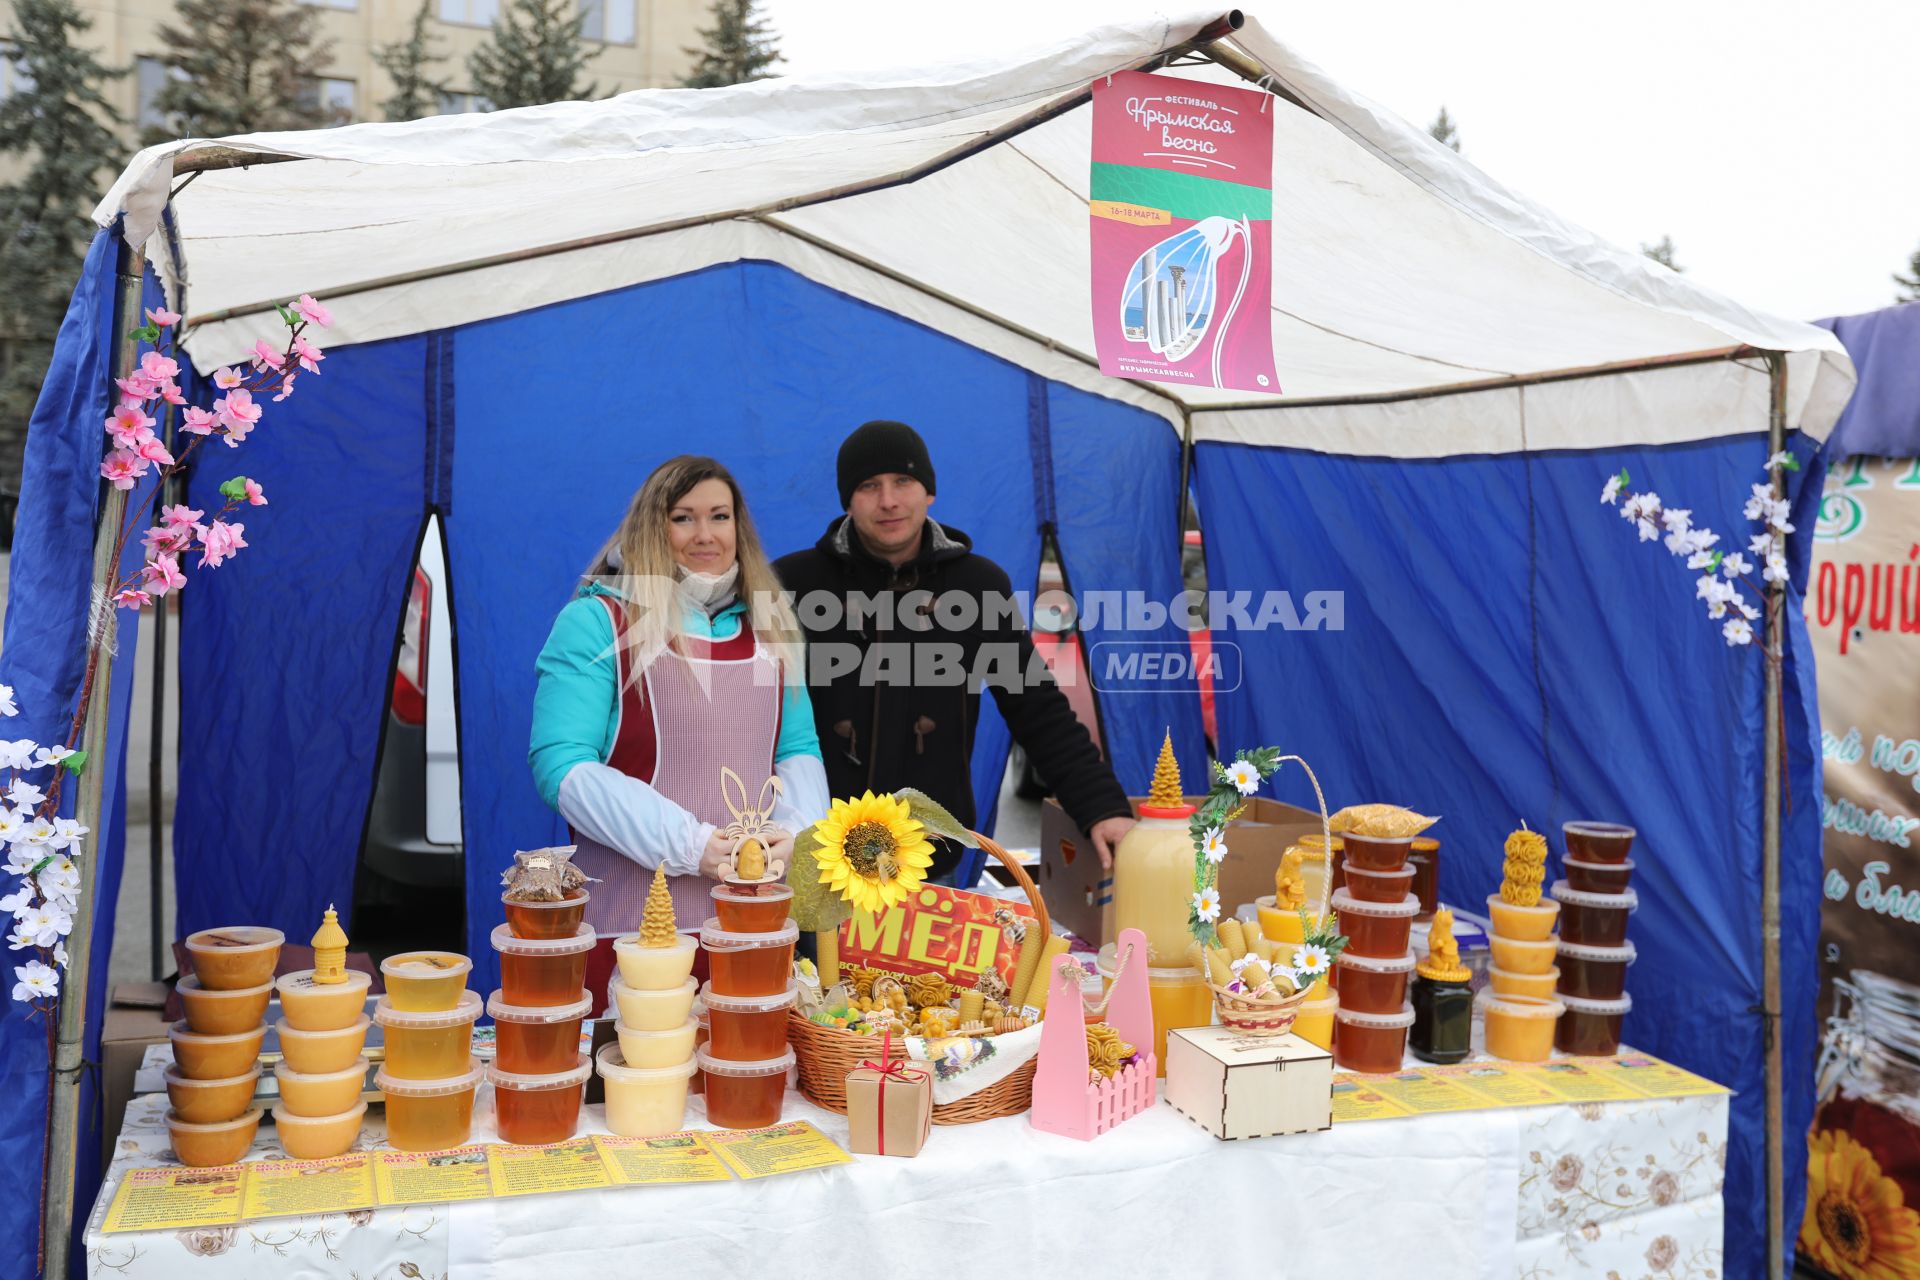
1562,1191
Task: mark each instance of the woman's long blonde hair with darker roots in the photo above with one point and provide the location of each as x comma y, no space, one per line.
638,563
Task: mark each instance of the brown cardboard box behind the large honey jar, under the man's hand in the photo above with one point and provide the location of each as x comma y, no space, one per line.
1080,895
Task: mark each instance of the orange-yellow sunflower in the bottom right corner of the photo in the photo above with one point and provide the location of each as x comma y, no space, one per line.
1858,1223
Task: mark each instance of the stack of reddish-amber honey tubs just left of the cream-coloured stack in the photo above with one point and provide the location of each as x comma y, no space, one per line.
539,1070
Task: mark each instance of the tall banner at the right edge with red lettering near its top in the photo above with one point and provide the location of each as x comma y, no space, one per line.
1863,615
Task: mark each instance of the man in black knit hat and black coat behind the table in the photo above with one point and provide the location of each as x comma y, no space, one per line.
905,625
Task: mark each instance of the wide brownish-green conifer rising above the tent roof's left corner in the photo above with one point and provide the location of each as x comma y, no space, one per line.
241,66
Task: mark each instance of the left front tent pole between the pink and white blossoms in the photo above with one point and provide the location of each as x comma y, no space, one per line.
70,1045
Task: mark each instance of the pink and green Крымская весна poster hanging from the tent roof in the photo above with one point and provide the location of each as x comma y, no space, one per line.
1182,227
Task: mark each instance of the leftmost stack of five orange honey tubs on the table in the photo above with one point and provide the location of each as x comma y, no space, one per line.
216,1051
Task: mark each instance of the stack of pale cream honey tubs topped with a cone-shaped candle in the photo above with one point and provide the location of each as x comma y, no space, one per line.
650,1070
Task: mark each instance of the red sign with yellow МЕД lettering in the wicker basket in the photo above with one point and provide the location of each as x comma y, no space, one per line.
938,930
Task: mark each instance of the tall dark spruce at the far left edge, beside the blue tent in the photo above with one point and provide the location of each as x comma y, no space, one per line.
62,128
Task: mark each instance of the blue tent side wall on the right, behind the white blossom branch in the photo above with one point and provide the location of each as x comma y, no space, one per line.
1512,652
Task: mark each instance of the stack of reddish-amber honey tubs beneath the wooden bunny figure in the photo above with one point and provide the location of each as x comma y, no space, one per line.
750,951
